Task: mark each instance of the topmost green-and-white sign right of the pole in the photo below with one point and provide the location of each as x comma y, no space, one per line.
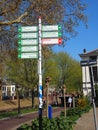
51,27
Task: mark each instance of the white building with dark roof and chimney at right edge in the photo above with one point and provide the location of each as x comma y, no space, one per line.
89,64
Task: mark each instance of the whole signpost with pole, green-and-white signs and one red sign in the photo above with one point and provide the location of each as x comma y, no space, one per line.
30,40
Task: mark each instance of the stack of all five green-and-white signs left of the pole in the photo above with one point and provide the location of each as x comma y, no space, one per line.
28,42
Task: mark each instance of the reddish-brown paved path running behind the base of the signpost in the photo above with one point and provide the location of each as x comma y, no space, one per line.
15,122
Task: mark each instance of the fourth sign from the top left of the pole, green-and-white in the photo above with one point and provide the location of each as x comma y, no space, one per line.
28,48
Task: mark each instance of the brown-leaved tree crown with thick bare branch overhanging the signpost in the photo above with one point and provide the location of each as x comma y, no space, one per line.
69,13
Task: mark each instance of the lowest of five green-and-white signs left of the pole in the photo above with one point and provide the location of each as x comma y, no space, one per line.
28,55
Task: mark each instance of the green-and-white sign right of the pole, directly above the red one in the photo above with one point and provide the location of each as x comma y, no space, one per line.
51,34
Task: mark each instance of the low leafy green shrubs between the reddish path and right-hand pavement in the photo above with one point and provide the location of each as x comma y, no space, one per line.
59,123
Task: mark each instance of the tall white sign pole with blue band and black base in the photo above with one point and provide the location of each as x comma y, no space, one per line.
40,76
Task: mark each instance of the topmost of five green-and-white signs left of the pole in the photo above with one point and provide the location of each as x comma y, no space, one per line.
28,29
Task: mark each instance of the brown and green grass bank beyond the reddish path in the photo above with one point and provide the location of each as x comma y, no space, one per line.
9,108
